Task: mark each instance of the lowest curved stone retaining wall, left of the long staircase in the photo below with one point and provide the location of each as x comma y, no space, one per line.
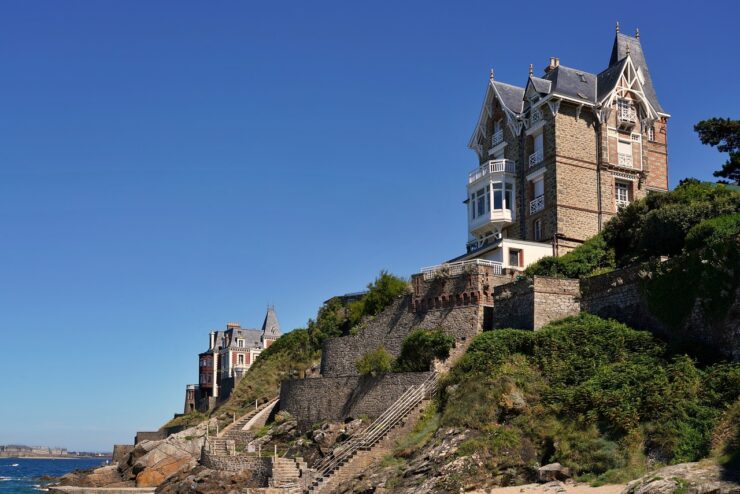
339,398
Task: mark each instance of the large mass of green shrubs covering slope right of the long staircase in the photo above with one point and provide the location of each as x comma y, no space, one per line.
598,397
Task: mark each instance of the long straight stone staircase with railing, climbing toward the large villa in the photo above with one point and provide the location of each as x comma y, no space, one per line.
352,455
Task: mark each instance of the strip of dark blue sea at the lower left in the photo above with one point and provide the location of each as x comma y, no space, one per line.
18,475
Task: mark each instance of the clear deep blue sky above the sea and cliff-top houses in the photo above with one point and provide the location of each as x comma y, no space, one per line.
166,167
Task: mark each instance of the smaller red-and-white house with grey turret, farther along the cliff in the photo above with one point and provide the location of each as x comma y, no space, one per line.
231,352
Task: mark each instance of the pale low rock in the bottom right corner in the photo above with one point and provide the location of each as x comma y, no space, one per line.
688,478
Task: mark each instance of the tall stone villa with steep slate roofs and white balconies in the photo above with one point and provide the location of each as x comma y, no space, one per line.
557,156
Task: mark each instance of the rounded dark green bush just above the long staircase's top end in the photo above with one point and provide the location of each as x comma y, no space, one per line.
421,347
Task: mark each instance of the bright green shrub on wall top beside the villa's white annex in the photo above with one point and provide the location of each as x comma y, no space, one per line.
593,256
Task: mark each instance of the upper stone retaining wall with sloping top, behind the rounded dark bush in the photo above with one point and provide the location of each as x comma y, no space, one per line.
390,327
